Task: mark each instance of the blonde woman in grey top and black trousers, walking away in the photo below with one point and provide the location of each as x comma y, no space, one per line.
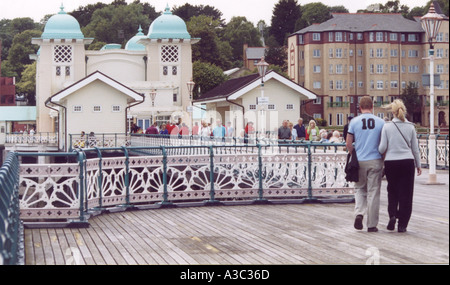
400,148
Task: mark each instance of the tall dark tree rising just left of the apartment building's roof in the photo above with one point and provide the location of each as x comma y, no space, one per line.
284,17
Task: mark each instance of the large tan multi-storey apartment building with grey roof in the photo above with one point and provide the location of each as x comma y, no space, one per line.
354,55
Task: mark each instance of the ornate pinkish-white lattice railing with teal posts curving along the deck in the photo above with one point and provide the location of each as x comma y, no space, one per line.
262,174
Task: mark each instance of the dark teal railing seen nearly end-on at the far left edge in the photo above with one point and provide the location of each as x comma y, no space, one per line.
11,229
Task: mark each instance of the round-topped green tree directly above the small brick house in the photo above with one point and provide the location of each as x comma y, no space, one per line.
238,32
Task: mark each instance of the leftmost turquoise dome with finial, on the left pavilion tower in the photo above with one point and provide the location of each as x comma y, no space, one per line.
62,26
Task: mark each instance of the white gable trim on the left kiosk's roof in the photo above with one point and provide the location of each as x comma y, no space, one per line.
91,78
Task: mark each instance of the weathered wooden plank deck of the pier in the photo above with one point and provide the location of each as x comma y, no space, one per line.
263,234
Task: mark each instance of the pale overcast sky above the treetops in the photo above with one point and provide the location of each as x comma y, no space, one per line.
253,10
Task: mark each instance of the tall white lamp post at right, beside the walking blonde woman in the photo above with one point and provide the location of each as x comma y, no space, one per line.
431,23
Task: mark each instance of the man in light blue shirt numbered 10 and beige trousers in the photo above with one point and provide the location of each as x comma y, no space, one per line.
365,132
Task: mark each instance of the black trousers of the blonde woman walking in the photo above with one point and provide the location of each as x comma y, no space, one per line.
400,177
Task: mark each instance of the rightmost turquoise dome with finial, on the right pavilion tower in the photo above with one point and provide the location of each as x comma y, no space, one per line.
168,26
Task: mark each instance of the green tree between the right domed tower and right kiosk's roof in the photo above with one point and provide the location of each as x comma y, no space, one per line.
206,77
